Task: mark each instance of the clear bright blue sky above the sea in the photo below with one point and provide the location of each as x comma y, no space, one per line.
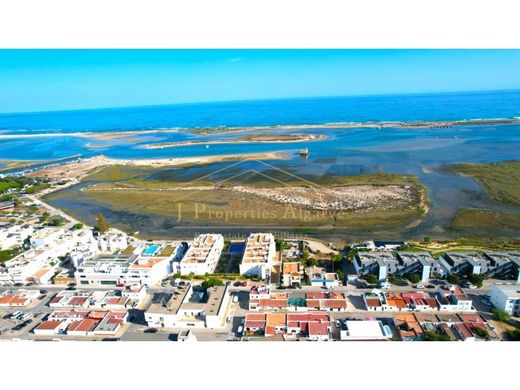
46,80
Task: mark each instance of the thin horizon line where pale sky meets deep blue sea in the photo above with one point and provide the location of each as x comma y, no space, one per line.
254,100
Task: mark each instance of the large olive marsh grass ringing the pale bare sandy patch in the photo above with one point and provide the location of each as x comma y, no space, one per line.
127,189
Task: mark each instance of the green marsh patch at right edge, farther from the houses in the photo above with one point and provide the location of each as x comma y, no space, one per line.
500,180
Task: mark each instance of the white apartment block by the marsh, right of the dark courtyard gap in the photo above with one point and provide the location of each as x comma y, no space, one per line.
259,256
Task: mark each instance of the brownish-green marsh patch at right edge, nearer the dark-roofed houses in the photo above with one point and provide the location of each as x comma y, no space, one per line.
486,219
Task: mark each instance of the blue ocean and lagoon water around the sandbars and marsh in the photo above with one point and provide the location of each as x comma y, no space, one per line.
345,151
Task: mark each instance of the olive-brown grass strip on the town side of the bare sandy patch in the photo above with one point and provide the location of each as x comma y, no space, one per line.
222,207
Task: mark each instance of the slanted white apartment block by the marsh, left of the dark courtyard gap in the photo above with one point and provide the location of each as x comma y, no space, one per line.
202,255
